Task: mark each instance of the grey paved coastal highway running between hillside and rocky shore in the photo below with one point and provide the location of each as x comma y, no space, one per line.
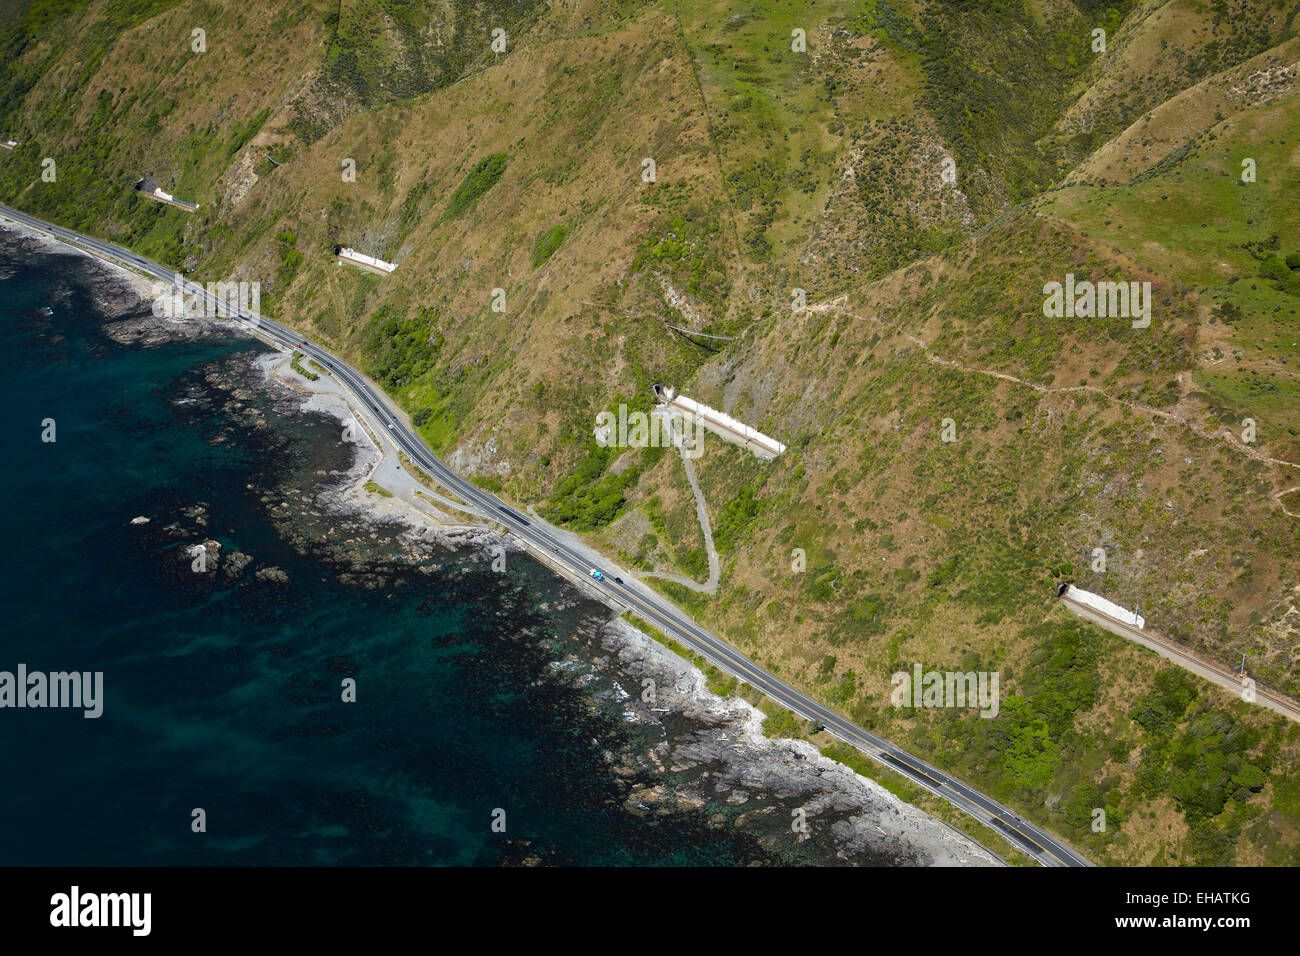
649,605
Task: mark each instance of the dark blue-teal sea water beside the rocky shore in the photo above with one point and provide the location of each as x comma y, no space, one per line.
227,695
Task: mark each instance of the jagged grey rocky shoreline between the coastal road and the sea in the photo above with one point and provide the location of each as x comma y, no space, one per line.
687,750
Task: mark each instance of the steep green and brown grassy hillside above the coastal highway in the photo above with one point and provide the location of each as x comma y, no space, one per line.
921,170
